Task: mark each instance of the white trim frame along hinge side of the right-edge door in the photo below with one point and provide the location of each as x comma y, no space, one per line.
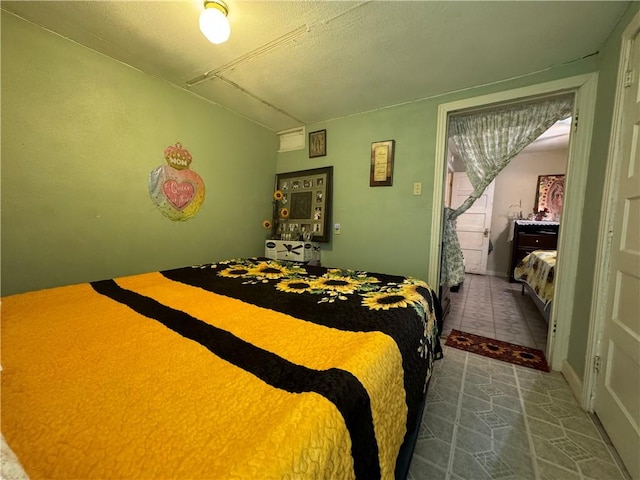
600,293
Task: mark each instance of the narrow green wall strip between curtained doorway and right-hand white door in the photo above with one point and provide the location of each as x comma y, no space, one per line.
607,83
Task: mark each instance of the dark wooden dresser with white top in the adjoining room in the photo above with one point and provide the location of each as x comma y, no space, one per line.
531,235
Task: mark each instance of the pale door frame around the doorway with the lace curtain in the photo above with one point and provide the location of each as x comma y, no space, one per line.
585,87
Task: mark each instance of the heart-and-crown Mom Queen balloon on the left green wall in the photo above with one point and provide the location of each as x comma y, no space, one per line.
176,190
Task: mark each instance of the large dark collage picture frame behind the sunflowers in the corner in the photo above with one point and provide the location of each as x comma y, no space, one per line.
305,203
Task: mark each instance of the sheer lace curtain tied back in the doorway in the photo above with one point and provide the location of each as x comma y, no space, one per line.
486,142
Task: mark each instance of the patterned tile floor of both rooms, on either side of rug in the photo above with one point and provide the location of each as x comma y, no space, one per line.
486,419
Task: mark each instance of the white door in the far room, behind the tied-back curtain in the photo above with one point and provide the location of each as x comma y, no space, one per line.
474,225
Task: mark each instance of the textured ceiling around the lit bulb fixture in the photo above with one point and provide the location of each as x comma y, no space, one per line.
292,63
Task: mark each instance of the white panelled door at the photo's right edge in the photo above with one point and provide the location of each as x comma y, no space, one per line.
617,400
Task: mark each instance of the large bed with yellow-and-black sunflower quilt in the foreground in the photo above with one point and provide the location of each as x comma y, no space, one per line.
247,368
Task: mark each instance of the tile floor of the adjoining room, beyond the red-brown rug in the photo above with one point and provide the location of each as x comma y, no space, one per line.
492,307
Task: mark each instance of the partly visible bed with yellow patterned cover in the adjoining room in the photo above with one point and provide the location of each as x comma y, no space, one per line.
536,272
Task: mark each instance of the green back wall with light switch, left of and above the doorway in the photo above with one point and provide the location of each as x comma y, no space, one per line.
388,228
